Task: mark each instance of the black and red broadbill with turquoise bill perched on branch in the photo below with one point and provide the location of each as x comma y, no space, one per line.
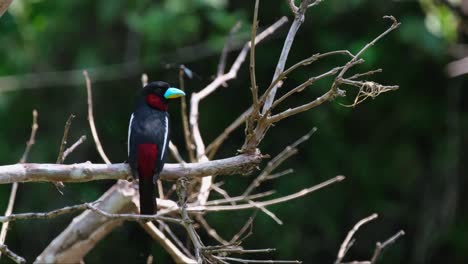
148,139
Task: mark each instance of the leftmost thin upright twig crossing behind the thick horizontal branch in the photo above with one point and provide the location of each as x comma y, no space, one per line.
14,186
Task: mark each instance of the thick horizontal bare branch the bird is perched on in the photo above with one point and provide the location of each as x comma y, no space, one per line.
82,172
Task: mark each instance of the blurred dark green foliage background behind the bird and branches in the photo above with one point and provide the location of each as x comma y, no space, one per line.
401,153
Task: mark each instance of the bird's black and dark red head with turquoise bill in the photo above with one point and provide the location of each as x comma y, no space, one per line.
157,94
